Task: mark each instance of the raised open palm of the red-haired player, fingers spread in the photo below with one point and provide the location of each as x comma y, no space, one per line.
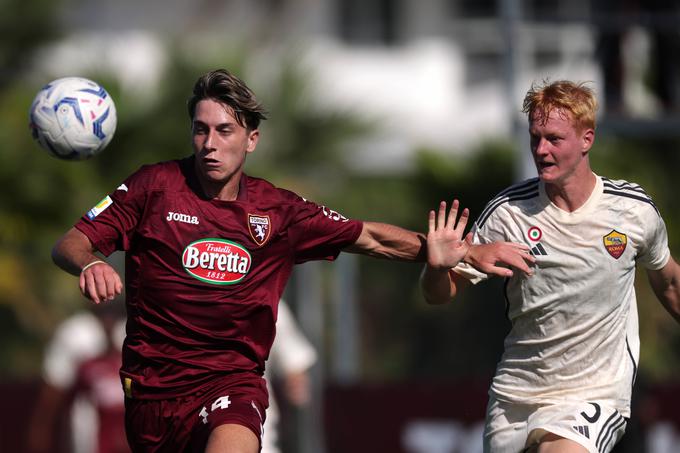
446,246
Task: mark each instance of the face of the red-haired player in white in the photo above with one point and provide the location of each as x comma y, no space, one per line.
559,149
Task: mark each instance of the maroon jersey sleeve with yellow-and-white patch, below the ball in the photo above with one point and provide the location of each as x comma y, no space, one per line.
110,224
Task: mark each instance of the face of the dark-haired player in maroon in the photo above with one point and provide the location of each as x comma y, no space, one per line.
220,142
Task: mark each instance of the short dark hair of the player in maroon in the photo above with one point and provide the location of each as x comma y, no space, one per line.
224,87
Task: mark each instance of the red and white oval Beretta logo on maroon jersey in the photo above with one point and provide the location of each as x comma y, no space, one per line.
216,261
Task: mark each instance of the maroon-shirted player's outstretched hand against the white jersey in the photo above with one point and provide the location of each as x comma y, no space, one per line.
492,258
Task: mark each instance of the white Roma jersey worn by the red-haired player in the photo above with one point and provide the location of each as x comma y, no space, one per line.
574,332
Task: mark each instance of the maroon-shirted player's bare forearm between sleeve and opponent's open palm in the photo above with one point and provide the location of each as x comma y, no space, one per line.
382,240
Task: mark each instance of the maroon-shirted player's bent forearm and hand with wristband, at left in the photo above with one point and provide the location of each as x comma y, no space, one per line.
75,254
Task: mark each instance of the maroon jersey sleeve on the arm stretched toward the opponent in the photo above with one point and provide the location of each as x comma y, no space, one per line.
320,233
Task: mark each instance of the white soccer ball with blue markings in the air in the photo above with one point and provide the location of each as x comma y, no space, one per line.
73,118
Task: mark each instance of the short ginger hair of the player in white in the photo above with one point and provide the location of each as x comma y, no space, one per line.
575,98
